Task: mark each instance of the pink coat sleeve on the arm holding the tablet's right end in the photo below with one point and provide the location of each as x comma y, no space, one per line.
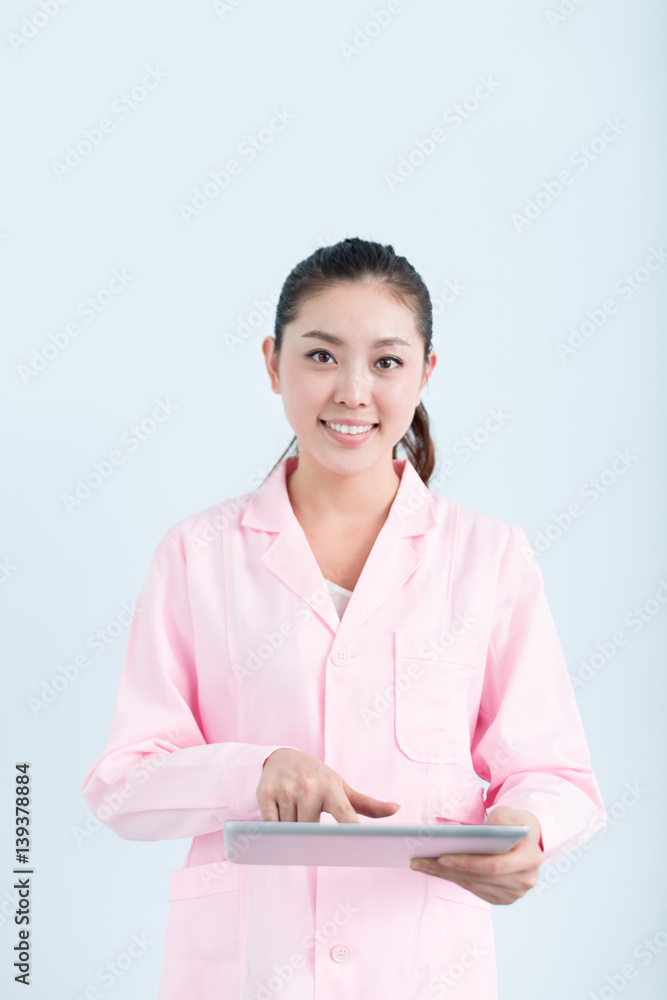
529,741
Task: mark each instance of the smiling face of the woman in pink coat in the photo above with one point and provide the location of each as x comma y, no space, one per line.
353,356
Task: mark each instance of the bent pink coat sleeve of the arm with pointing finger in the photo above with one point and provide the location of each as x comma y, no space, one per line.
158,778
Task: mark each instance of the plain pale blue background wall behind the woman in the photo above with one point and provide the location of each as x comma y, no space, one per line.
166,335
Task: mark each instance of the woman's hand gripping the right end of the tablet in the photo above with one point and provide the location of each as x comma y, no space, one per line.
497,878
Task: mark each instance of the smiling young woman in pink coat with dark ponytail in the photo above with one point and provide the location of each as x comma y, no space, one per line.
342,644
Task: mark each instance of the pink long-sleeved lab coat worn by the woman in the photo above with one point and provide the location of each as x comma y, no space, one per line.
446,663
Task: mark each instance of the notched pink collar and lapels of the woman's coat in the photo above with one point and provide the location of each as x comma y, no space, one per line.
389,565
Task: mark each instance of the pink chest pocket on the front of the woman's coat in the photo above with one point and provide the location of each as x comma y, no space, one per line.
430,697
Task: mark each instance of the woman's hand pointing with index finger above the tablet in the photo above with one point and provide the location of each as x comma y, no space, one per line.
296,788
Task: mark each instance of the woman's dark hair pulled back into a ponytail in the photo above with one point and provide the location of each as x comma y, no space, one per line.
357,260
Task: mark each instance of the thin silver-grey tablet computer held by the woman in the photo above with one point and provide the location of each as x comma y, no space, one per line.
379,845
